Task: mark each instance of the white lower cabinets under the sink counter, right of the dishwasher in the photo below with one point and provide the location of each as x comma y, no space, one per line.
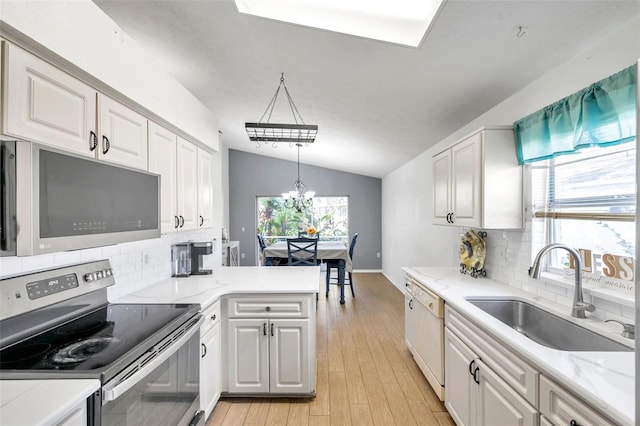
487,384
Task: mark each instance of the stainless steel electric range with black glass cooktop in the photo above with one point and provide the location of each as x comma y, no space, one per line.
58,324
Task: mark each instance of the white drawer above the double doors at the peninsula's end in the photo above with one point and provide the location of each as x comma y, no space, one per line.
284,306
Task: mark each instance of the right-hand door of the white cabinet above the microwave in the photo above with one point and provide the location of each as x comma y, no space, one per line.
122,134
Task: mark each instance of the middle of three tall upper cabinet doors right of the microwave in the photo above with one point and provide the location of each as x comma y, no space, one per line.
187,180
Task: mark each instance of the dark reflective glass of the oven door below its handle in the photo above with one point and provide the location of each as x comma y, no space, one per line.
168,395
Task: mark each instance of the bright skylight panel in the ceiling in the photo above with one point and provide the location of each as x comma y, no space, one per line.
400,21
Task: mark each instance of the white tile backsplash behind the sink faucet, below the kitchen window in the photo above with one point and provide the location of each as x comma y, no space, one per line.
509,254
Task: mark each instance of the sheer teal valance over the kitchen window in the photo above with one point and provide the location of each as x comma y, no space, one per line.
599,115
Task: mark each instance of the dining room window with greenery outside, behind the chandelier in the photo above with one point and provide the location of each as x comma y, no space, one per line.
328,215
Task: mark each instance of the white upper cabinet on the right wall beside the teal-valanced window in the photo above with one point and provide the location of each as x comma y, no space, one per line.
478,183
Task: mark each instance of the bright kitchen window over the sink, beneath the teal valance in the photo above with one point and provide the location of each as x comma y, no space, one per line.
588,201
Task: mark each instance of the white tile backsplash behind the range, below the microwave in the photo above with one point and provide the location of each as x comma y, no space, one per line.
135,265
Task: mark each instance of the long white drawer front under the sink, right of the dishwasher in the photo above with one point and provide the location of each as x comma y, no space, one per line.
518,374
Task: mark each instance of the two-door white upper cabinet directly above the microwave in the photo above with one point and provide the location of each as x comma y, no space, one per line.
46,105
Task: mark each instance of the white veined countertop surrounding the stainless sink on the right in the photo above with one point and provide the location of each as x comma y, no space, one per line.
605,380
